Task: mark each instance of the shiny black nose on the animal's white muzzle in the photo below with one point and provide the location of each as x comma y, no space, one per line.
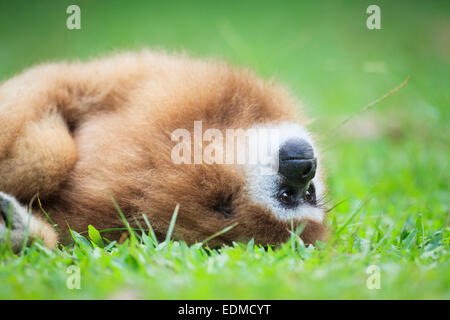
297,163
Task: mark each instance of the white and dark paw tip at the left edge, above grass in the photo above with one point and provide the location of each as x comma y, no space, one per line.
15,215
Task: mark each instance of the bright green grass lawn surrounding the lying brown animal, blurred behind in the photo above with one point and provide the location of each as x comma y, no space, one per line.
388,168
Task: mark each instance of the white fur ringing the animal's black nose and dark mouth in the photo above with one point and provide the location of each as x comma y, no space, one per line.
263,188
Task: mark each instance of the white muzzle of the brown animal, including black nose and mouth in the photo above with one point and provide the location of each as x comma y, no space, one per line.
295,190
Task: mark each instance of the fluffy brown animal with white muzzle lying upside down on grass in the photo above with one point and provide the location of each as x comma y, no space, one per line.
81,134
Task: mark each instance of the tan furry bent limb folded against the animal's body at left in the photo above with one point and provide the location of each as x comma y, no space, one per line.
40,107
